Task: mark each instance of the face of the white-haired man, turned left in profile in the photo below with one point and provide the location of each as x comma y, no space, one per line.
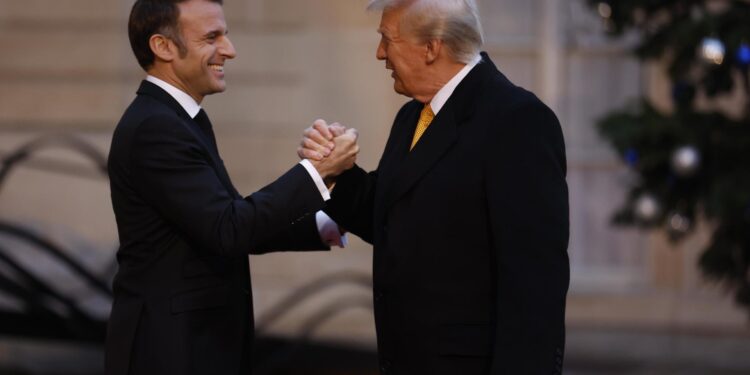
403,55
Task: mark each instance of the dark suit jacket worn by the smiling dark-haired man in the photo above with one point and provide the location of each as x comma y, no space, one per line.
183,302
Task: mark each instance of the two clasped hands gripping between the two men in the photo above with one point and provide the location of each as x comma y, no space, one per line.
332,149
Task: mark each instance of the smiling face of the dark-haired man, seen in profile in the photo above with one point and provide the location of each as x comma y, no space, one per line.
199,71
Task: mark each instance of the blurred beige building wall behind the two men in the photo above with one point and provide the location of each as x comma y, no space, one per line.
67,67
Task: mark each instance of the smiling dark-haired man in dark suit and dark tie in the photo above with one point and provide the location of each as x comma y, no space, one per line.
182,296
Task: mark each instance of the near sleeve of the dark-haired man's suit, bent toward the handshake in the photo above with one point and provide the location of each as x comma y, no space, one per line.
173,173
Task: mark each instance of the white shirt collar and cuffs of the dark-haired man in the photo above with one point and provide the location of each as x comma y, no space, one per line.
328,229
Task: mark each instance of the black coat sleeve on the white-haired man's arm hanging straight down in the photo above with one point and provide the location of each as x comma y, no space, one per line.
528,203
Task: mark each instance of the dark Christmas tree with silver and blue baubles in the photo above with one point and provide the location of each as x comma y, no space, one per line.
693,161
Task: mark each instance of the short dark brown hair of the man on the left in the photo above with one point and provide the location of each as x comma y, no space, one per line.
149,17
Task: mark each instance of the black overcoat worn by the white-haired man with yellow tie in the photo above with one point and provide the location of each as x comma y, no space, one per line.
470,234
